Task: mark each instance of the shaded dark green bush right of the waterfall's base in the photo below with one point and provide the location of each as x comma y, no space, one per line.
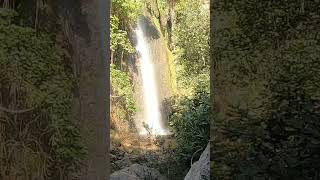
190,124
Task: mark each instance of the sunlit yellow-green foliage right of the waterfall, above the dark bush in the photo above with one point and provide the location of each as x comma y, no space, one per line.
191,44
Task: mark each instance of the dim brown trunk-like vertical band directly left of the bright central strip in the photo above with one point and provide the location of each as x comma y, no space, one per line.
93,93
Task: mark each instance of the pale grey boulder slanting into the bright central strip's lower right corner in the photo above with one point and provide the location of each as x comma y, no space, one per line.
200,170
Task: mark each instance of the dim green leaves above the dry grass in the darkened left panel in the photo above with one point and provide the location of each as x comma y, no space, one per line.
32,65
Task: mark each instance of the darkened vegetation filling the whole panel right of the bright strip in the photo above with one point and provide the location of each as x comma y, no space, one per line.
266,54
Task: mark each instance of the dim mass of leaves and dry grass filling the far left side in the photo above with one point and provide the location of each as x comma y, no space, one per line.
35,103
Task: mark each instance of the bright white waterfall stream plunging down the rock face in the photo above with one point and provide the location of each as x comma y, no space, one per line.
151,115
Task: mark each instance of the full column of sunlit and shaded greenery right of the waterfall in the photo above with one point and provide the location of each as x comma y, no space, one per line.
190,118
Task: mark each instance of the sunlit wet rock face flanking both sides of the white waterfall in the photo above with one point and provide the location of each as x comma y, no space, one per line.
160,56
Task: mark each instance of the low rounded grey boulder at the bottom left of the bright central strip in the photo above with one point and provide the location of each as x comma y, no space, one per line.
137,172
